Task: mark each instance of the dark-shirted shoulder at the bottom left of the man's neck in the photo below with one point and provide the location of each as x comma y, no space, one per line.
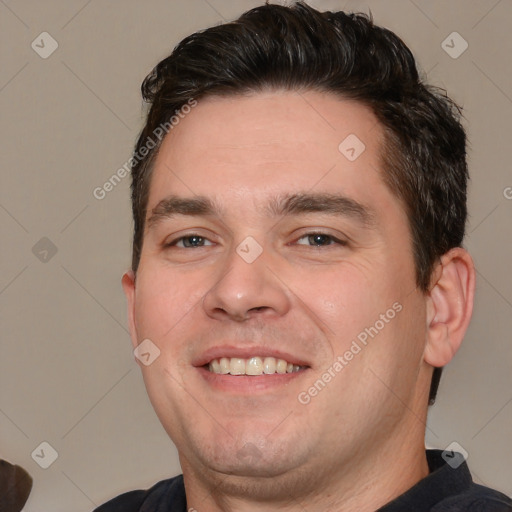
164,493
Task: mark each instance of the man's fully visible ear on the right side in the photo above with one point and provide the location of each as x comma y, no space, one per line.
449,306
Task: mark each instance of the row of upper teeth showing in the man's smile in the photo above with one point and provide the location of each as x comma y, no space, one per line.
252,366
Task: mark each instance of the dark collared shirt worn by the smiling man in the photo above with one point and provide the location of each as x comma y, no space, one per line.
445,489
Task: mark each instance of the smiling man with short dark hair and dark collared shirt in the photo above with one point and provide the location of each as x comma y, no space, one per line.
298,279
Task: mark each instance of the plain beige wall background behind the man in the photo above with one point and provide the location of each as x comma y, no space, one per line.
67,374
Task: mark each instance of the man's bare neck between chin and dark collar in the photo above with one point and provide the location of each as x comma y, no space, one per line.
363,484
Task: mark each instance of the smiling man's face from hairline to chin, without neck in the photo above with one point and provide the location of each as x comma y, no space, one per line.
277,281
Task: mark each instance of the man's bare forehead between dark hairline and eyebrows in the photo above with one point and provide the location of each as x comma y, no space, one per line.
242,149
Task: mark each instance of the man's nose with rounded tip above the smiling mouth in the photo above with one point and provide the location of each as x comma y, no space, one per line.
246,290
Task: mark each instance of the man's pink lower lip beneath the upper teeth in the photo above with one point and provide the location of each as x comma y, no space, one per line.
248,383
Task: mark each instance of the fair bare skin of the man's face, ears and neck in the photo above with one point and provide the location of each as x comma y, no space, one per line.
359,442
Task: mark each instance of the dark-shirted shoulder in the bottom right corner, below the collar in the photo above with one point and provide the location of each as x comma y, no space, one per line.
476,498
